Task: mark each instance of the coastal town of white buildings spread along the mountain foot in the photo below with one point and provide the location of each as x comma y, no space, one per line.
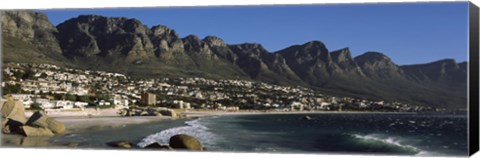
50,87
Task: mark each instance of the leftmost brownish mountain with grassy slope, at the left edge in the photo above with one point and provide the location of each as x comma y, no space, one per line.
29,36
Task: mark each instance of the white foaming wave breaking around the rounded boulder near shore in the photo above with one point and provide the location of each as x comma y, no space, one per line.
194,128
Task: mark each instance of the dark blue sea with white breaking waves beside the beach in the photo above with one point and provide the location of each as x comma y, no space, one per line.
342,133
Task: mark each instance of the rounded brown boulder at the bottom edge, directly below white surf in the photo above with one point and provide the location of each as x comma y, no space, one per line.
183,141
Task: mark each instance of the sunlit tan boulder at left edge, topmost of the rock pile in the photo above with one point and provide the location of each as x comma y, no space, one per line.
13,110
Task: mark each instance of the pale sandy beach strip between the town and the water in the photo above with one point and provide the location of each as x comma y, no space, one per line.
78,121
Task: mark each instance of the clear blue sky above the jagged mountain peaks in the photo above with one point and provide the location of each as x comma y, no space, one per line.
408,33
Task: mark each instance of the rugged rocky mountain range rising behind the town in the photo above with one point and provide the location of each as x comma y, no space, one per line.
127,46
